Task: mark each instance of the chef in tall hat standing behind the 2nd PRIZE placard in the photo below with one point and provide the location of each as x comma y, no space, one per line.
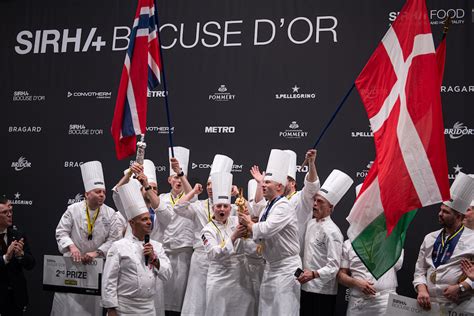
86,231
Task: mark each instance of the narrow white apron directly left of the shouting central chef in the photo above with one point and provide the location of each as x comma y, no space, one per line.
195,297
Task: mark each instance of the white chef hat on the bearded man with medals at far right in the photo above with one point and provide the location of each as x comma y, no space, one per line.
462,193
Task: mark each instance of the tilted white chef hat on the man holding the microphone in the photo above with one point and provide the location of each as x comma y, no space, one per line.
132,200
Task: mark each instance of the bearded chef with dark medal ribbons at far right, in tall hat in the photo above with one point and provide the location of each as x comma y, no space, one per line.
438,272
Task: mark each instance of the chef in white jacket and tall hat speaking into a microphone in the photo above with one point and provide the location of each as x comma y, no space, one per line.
133,263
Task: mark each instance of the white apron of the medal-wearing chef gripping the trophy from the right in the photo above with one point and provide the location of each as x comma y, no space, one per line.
280,291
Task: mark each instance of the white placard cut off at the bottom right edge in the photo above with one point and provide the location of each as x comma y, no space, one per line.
405,306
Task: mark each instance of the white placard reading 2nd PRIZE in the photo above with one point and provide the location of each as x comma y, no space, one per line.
62,274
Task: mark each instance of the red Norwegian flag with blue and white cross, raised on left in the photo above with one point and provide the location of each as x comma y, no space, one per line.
142,67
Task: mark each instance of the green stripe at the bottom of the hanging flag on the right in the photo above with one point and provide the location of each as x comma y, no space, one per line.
378,252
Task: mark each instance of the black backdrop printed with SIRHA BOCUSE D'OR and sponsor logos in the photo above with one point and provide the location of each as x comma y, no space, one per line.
243,77
